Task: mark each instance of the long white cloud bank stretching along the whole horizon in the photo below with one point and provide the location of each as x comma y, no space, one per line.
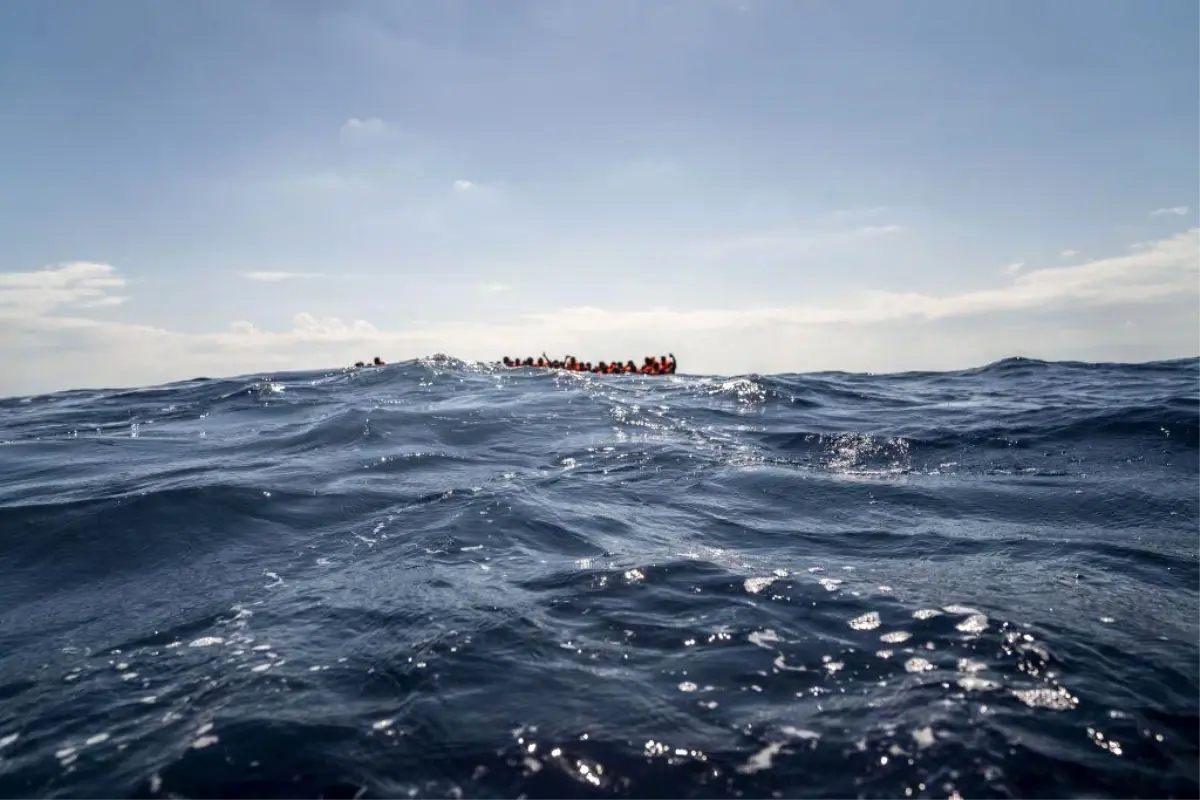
1154,285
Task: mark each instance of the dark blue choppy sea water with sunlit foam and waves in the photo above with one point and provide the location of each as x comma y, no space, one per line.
447,581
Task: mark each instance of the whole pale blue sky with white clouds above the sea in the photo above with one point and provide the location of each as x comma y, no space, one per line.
233,188
